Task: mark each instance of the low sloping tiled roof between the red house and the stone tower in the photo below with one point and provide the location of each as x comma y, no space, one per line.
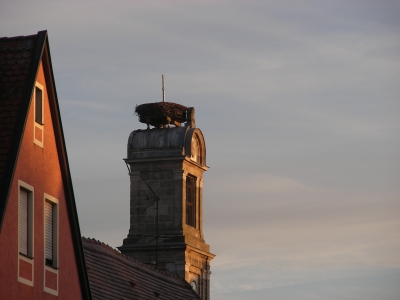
113,275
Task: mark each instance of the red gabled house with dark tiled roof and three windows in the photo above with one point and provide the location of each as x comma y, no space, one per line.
41,254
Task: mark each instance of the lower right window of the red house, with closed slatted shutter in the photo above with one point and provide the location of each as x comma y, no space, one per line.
50,231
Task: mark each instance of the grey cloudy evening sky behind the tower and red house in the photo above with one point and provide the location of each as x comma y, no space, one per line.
299,105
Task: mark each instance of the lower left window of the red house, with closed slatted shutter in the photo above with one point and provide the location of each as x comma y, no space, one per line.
25,222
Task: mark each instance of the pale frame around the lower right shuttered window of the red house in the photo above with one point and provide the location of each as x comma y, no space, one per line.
54,267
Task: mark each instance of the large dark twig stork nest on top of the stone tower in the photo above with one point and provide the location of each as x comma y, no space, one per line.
161,113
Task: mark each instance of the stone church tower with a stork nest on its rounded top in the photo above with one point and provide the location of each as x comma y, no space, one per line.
166,165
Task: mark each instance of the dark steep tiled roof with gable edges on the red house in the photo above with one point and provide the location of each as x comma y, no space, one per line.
20,58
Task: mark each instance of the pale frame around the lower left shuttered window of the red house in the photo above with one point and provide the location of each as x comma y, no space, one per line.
29,256
